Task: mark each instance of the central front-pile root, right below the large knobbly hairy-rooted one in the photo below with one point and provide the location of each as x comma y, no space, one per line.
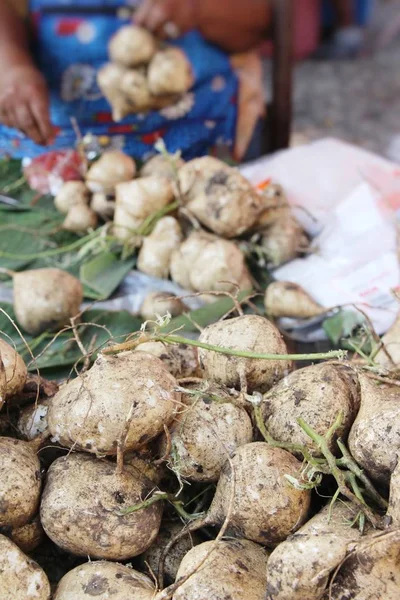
205,432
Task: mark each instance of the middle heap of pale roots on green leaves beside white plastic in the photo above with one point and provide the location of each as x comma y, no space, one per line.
179,217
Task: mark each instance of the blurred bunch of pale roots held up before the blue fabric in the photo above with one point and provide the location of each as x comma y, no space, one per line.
142,75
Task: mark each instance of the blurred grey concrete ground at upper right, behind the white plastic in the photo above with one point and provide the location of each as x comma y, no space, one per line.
359,100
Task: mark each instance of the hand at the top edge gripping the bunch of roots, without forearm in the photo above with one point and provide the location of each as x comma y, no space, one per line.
168,18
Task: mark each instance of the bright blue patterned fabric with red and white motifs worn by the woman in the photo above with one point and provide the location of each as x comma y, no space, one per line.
71,45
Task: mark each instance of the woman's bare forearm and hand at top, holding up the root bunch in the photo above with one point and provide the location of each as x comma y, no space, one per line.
235,25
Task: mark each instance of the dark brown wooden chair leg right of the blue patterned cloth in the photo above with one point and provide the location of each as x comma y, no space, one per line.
277,127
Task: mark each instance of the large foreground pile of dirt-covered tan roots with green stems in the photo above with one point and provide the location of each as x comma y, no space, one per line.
206,469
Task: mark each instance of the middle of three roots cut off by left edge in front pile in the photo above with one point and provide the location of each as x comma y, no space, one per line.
20,483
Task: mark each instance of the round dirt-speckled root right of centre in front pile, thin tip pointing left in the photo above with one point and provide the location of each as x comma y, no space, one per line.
266,507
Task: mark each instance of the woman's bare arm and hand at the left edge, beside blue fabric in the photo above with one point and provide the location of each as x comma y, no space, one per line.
24,100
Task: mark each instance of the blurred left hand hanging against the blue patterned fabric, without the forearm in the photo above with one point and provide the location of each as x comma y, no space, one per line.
24,103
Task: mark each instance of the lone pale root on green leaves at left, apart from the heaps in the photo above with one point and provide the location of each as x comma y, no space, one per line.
46,299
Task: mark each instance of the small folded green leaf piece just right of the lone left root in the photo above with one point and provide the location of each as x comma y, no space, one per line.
104,273
